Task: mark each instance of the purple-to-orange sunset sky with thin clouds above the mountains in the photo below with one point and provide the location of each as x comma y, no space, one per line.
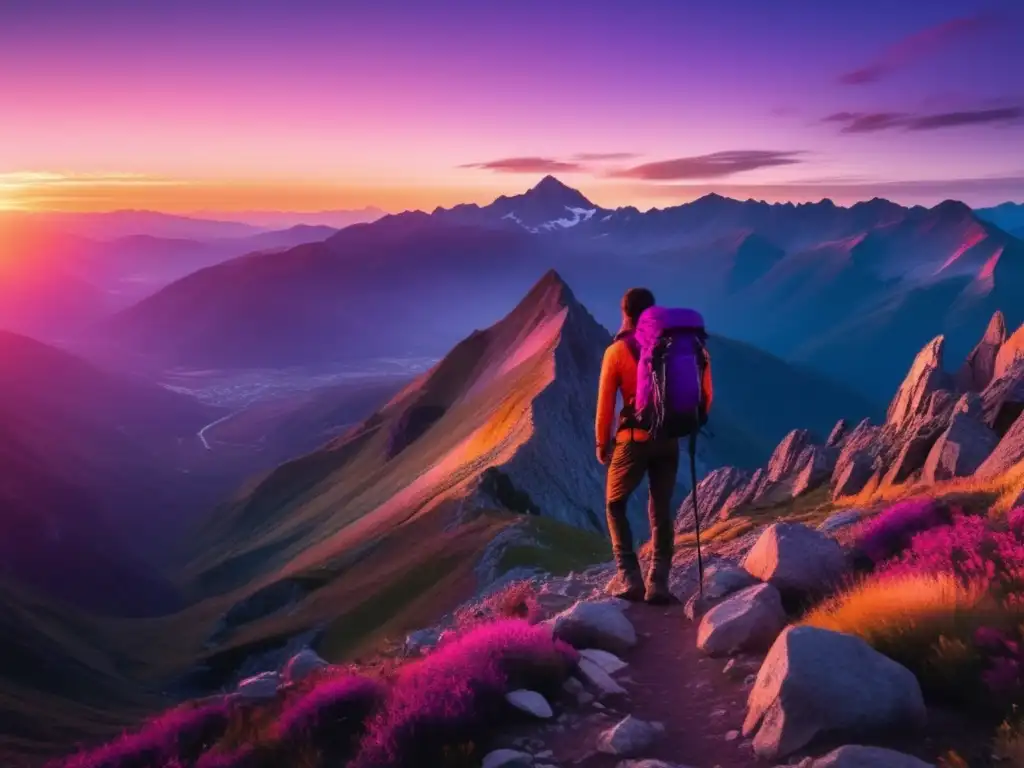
301,105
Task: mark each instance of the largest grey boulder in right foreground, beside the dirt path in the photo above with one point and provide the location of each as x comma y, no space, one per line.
816,682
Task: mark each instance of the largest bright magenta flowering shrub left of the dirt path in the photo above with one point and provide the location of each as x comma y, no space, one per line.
454,696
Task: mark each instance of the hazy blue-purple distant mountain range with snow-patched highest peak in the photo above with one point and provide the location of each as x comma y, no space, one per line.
815,283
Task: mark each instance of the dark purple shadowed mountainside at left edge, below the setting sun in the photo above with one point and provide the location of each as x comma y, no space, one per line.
92,482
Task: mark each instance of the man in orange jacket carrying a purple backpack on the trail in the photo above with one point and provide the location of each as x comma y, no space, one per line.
667,393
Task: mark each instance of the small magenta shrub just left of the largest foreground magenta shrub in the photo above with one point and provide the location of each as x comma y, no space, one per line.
332,717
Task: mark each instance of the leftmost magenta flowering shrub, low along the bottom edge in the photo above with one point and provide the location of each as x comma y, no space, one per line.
181,735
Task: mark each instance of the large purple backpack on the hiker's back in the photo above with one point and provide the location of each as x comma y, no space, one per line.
669,346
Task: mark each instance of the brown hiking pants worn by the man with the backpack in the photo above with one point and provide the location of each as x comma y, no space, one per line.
630,462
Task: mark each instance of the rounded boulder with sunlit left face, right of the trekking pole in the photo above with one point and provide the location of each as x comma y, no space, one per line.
795,559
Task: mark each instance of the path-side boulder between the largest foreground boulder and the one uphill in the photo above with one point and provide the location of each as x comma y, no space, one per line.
750,620
